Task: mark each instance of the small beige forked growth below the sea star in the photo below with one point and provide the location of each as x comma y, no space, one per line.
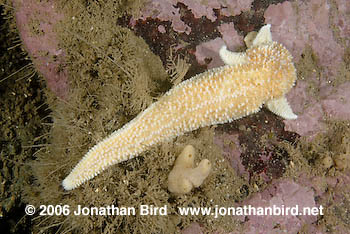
184,176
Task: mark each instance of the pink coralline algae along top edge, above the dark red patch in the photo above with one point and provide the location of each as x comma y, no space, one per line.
168,10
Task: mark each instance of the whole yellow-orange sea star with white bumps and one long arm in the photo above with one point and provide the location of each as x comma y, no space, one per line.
261,75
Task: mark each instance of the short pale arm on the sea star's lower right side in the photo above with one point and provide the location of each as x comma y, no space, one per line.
281,108
